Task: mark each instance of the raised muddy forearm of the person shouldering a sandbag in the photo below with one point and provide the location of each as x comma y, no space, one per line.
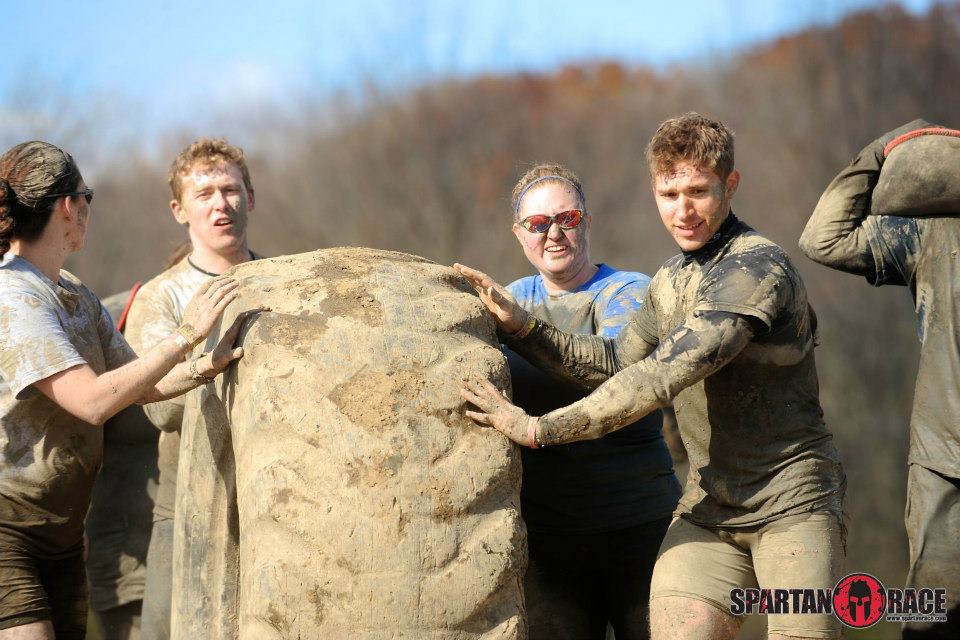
834,236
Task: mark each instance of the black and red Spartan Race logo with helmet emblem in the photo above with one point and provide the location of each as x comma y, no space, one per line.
859,600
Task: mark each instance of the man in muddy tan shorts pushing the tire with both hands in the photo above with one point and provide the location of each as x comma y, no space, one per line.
727,335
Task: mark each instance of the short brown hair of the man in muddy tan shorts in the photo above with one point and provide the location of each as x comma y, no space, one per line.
703,142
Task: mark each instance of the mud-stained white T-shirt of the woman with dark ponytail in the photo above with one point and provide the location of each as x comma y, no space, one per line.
49,459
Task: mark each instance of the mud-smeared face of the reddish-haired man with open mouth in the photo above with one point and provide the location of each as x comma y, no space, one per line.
215,204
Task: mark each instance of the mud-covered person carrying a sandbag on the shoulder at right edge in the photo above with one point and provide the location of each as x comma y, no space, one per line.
920,253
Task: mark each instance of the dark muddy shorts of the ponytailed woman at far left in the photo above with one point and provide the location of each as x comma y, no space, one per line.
33,589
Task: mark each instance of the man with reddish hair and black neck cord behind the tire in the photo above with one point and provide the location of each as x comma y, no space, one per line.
212,197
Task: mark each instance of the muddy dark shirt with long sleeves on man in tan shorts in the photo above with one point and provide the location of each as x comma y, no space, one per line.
746,398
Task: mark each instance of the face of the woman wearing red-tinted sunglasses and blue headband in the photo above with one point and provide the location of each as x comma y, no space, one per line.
559,254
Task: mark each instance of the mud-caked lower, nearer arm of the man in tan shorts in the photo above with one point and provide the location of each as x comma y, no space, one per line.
700,346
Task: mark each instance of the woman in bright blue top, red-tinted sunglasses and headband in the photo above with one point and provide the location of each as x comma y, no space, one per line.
596,510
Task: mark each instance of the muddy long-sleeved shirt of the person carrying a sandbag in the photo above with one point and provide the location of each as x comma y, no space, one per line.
924,255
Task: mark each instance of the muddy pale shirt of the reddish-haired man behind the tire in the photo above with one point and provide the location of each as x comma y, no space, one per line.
156,312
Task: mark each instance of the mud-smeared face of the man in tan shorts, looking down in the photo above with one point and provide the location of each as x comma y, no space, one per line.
693,202
